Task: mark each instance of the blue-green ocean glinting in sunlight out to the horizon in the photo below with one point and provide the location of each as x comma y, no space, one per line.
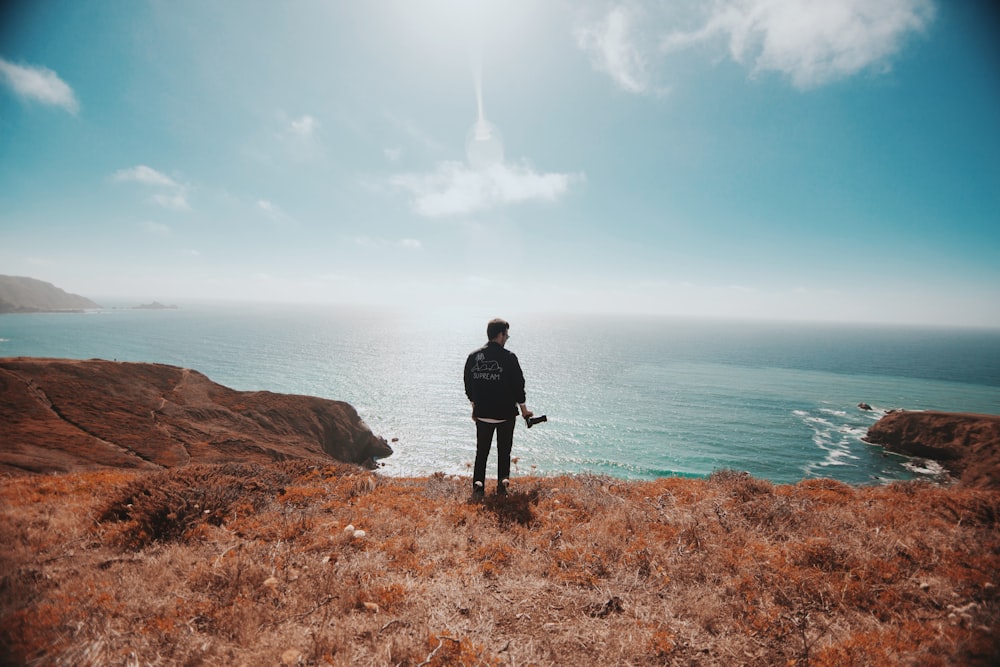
629,397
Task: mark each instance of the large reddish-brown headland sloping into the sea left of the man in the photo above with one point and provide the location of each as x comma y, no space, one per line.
59,415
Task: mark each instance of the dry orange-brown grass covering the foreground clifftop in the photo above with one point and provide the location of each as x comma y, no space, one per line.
251,565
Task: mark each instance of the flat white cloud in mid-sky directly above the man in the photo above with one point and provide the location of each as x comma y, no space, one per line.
456,189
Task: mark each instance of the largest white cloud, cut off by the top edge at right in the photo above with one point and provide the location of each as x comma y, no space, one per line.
811,41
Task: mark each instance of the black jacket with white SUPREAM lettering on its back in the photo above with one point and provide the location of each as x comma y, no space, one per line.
494,382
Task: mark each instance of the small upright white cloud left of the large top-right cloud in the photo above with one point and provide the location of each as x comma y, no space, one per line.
612,49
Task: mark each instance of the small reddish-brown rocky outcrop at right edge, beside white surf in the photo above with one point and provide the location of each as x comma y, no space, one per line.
967,445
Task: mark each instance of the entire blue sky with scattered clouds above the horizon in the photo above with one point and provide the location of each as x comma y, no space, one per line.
829,160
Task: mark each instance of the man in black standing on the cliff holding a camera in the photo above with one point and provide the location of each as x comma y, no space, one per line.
494,384
